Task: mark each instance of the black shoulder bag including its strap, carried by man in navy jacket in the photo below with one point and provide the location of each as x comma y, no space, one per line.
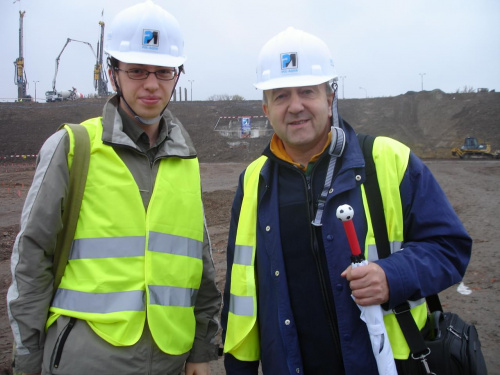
447,345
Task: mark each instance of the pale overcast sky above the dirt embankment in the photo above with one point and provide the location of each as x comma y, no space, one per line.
382,48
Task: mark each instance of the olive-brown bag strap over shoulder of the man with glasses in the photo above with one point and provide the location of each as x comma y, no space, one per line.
73,201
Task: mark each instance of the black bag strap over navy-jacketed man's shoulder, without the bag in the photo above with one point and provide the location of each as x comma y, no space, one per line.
402,312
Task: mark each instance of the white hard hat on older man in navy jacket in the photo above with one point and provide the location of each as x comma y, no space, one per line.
294,58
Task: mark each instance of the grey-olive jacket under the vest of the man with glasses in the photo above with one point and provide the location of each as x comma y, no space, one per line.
30,293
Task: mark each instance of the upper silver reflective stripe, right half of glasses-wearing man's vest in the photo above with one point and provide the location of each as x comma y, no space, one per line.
170,244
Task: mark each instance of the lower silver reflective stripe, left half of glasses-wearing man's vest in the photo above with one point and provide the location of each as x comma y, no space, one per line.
99,303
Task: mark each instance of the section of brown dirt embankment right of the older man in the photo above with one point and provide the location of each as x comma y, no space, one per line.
429,122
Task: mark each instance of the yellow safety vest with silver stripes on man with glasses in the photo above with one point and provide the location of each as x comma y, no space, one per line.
127,263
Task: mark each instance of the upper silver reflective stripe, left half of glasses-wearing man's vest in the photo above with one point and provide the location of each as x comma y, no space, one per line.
109,247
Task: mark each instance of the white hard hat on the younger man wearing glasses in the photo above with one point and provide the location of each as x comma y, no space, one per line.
146,34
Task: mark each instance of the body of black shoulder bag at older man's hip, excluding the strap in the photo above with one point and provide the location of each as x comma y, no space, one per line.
454,346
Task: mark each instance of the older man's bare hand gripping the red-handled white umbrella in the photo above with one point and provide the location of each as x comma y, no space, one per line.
368,284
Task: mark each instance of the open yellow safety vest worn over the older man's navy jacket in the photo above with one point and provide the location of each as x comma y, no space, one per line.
242,336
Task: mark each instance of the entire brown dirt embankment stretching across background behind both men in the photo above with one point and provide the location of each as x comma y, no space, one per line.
431,123
